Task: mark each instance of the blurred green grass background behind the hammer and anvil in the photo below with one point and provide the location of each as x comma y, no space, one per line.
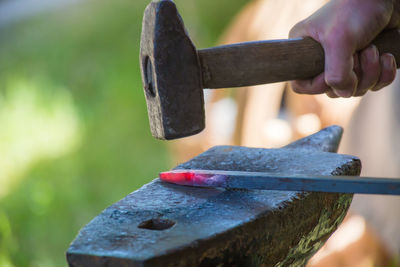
74,133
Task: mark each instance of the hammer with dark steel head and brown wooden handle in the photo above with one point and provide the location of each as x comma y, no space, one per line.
174,72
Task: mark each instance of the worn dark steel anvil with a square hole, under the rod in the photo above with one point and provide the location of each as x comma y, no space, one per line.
170,225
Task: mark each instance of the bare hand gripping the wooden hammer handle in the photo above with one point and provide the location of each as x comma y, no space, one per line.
345,29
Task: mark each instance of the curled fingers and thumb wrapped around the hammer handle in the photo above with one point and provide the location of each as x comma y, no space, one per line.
346,74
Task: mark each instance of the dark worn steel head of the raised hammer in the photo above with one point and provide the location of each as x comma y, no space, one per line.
171,74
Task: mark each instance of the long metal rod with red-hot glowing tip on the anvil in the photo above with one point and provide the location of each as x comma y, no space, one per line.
265,181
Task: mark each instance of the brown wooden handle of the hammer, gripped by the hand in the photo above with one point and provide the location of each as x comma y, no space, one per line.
261,62
